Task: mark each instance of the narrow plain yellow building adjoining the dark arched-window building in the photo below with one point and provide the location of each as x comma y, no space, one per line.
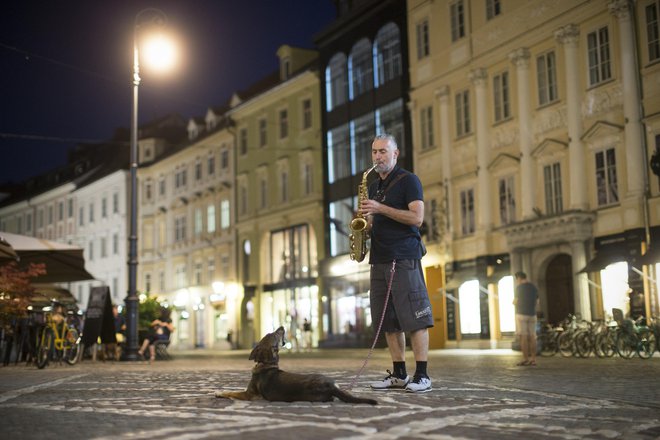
279,198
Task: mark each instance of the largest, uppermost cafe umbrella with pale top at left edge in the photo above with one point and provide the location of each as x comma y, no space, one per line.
64,263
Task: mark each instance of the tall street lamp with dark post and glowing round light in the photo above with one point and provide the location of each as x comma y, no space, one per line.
160,54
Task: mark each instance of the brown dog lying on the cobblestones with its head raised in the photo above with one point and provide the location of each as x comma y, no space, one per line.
270,383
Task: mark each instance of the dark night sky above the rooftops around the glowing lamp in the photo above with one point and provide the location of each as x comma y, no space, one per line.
66,67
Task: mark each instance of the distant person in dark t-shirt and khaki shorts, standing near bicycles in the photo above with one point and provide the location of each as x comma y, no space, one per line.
525,300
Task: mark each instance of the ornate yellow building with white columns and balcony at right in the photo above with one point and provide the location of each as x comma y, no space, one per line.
533,122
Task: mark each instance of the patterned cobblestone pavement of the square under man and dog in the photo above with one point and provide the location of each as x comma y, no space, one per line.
476,395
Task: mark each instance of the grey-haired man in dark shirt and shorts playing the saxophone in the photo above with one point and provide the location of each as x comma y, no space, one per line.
394,211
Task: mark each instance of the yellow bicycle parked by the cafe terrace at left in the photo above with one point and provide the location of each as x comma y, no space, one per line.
57,340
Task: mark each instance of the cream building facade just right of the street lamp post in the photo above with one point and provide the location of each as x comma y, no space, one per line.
186,242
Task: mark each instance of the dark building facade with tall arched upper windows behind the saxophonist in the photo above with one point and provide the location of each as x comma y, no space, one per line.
364,87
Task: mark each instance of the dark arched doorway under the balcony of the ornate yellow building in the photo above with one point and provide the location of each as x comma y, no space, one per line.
559,288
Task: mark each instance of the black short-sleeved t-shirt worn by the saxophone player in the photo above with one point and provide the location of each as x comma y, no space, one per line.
391,240
